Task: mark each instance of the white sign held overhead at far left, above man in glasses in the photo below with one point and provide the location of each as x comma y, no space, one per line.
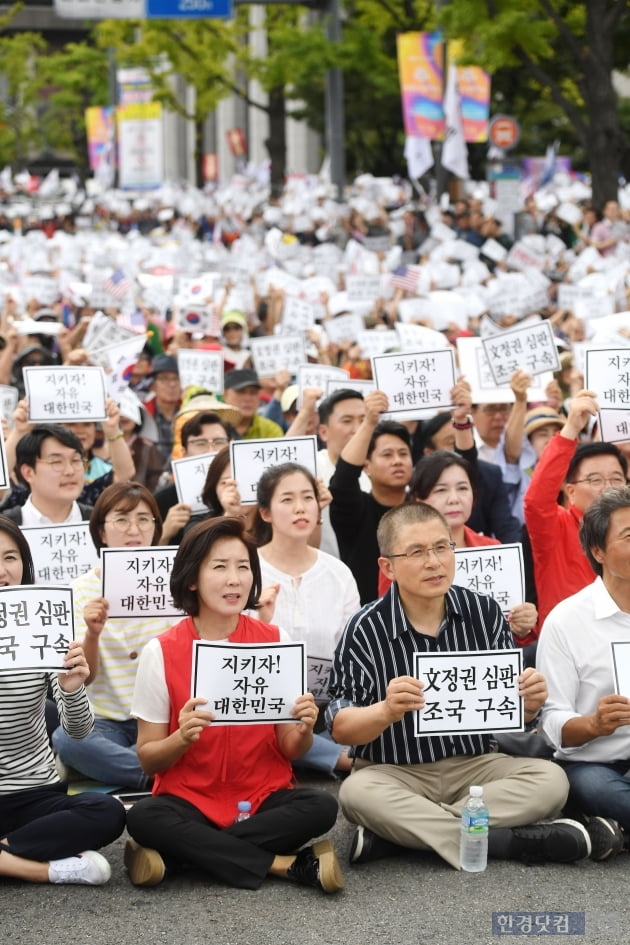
65,394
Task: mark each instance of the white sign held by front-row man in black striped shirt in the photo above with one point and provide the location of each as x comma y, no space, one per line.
468,693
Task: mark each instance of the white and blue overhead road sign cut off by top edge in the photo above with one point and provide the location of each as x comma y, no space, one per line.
143,9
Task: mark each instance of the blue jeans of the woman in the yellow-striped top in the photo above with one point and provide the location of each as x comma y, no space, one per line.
107,754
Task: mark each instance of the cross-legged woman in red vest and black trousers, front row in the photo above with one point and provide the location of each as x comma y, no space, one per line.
202,770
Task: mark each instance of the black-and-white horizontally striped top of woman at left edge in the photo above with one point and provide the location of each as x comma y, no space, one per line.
26,759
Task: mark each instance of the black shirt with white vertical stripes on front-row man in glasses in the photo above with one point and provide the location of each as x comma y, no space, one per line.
378,645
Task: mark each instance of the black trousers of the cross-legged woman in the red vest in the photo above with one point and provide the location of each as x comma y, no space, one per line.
241,854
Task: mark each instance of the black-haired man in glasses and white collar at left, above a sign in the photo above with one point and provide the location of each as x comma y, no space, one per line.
49,460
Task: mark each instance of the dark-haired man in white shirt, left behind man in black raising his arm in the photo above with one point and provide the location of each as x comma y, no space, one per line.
340,416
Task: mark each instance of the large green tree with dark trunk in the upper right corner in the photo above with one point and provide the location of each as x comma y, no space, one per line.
566,50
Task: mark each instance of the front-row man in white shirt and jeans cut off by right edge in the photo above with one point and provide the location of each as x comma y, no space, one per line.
587,714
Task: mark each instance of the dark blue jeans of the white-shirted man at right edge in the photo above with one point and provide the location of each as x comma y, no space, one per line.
600,789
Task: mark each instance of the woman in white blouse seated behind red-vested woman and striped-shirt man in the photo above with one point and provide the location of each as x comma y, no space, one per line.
317,593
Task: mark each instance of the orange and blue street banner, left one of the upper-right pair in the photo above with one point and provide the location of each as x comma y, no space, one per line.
421,71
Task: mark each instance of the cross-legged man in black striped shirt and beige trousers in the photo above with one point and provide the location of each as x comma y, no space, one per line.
408,789
